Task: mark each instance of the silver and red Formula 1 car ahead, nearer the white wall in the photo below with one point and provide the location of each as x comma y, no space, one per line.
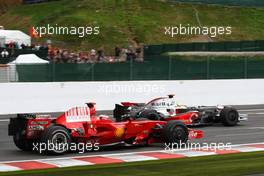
166,109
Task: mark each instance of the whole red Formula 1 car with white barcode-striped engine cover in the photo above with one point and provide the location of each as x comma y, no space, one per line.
81,125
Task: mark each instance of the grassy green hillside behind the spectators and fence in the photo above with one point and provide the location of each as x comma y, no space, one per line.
137,20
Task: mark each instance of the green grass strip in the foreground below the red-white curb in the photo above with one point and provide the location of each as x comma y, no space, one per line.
221,165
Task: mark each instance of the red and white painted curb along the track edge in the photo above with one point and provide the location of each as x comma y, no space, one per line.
8,166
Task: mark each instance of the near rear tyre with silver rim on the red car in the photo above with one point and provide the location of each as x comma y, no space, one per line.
57,138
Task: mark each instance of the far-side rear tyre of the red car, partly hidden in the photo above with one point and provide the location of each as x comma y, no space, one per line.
21,142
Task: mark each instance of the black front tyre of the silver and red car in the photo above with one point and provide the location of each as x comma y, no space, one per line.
229,116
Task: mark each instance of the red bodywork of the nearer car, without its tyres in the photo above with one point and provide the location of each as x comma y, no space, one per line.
84,126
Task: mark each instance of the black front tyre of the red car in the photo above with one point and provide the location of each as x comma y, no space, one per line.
175,132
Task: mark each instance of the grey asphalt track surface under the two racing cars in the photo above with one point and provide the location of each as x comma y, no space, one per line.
251,131
